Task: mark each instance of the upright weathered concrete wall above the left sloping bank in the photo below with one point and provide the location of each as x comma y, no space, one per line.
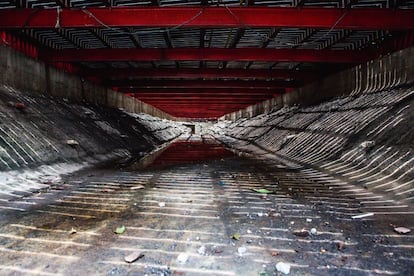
27,74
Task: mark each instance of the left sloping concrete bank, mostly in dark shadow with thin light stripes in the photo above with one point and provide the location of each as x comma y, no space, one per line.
40,130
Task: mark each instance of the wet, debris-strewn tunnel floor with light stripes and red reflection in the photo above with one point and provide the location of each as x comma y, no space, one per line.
192,217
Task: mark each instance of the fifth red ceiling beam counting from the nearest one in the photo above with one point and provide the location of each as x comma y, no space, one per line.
199,91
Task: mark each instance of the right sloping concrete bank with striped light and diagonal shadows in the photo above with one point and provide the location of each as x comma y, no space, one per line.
364,139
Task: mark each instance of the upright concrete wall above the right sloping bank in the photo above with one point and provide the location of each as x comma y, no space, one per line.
389,71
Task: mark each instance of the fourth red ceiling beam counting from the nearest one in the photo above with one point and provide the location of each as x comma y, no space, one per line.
167,84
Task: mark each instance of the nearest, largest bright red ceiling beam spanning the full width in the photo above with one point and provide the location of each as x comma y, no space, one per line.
209,17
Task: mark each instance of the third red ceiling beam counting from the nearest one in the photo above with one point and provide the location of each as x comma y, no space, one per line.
211,73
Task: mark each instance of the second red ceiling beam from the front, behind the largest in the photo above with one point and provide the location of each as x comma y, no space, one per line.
207,54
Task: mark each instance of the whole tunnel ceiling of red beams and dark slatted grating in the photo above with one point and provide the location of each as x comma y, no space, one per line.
203,59
